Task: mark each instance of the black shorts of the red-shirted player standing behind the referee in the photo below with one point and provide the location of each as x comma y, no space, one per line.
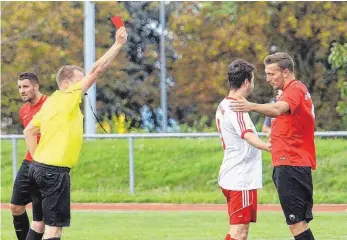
22,191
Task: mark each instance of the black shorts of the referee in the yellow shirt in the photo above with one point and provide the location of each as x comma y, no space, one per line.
54,186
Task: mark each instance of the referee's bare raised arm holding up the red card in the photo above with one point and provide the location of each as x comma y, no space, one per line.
102,63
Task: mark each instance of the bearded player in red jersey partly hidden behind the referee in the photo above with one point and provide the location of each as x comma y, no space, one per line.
28,87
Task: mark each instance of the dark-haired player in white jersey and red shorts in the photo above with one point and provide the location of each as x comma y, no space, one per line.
240,174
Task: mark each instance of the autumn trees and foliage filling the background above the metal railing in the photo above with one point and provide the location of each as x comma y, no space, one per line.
202,38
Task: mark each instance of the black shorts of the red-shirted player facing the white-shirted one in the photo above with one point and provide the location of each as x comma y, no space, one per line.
295,191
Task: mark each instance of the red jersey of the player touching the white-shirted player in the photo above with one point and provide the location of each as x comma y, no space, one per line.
292,134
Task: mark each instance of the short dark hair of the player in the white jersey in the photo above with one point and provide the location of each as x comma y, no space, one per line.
238,71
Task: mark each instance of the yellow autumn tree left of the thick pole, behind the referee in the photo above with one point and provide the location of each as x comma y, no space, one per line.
35,40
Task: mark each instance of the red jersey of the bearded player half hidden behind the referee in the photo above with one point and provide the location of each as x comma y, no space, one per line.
26,113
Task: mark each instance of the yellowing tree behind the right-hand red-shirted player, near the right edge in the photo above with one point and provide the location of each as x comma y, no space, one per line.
308,35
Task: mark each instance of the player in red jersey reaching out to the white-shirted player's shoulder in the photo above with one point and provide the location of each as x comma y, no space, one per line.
292,139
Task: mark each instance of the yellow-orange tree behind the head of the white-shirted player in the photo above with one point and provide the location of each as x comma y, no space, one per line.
208,37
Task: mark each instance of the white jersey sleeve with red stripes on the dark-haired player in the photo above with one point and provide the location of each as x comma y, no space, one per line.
241,122
